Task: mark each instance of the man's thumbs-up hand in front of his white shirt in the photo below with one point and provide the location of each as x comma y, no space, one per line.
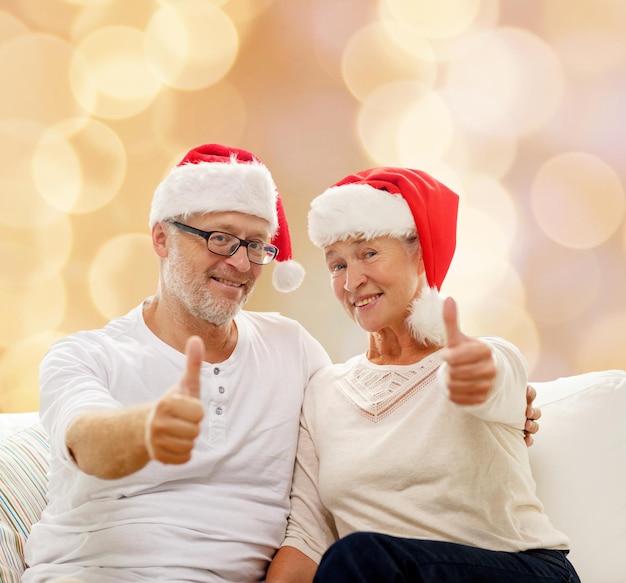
173,422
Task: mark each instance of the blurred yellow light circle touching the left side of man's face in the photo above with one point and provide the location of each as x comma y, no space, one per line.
123,273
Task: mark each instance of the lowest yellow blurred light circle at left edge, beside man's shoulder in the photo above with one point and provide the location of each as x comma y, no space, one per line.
19,372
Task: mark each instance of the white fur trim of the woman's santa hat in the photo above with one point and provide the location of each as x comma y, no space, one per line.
353,210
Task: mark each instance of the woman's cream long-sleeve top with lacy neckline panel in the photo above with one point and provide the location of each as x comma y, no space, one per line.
383,449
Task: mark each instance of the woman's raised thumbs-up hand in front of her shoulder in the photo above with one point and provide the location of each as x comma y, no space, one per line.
471,368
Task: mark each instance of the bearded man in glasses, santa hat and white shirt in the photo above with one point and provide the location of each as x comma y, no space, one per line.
173,429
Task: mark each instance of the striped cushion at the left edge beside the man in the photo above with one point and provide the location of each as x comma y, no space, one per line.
23,480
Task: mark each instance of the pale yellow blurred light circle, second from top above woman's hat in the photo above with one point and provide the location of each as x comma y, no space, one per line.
383,52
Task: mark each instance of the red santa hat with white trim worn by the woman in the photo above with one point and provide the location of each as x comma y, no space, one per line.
397,202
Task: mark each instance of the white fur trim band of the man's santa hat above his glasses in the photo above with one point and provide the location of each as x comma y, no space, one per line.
205,187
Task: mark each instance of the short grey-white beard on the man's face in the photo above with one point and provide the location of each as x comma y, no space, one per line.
191,290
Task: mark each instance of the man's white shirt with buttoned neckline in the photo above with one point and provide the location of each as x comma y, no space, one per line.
217,518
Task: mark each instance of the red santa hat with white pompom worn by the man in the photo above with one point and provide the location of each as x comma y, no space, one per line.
215,178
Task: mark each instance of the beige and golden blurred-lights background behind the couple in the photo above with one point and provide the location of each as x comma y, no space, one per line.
518,106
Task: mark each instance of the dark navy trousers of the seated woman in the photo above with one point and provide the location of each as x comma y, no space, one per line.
365,557
